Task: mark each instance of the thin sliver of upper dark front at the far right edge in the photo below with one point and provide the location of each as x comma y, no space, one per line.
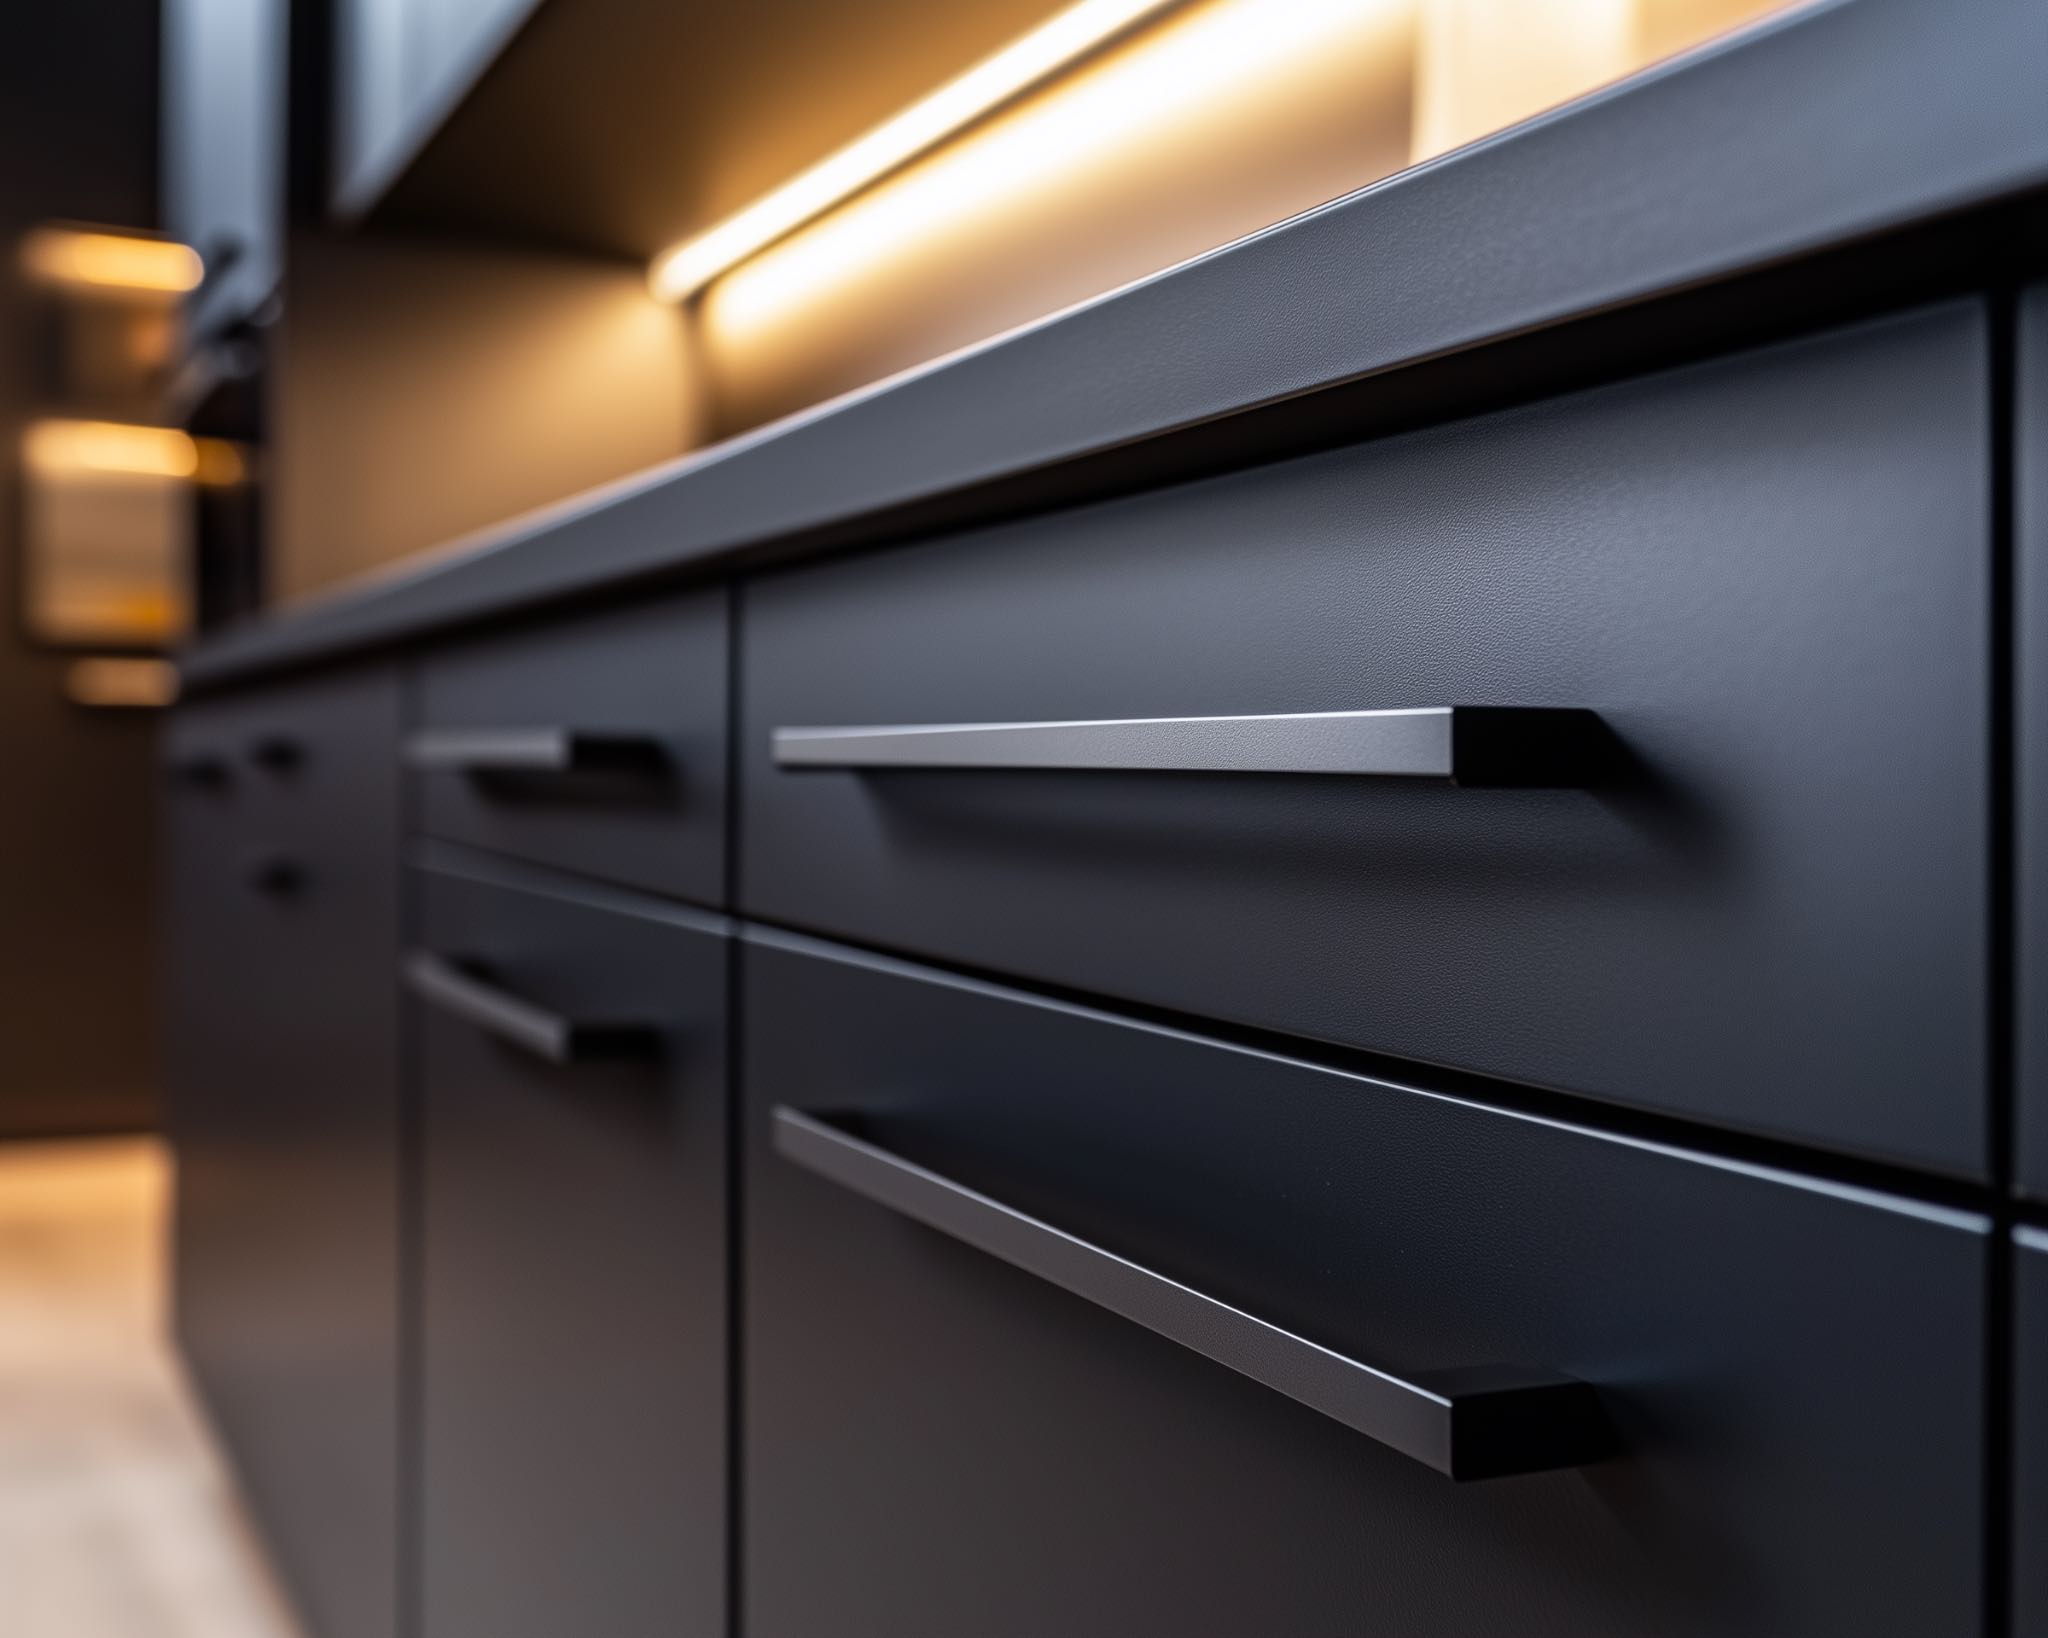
2031,472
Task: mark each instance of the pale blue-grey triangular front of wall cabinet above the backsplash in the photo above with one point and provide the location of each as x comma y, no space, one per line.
400,69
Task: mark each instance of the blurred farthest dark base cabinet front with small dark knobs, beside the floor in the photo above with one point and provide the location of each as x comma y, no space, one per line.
284,1109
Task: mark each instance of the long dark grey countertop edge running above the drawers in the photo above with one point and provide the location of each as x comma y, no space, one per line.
1850,153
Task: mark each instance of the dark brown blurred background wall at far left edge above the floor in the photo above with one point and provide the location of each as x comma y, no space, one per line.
79,105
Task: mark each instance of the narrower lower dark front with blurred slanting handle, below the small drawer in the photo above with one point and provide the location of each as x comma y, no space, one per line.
574,1264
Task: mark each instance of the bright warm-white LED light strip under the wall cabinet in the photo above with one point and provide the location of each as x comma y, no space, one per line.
919,130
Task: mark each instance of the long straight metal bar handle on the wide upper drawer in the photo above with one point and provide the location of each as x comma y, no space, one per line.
1492,746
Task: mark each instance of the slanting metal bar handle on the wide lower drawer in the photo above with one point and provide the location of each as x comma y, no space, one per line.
1467,1424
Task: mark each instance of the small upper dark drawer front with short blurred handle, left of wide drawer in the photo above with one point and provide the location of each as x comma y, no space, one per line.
634,699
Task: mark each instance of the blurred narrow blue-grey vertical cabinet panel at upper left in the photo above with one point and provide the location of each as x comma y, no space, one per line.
224,148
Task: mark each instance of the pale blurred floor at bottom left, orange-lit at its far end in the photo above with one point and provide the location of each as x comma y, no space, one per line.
116,1520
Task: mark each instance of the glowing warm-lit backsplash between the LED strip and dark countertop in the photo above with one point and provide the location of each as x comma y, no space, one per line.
1172,140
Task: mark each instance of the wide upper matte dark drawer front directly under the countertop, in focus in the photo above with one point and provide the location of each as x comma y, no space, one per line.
1768,578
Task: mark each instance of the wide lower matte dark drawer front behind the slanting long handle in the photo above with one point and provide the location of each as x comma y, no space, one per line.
939,1442
